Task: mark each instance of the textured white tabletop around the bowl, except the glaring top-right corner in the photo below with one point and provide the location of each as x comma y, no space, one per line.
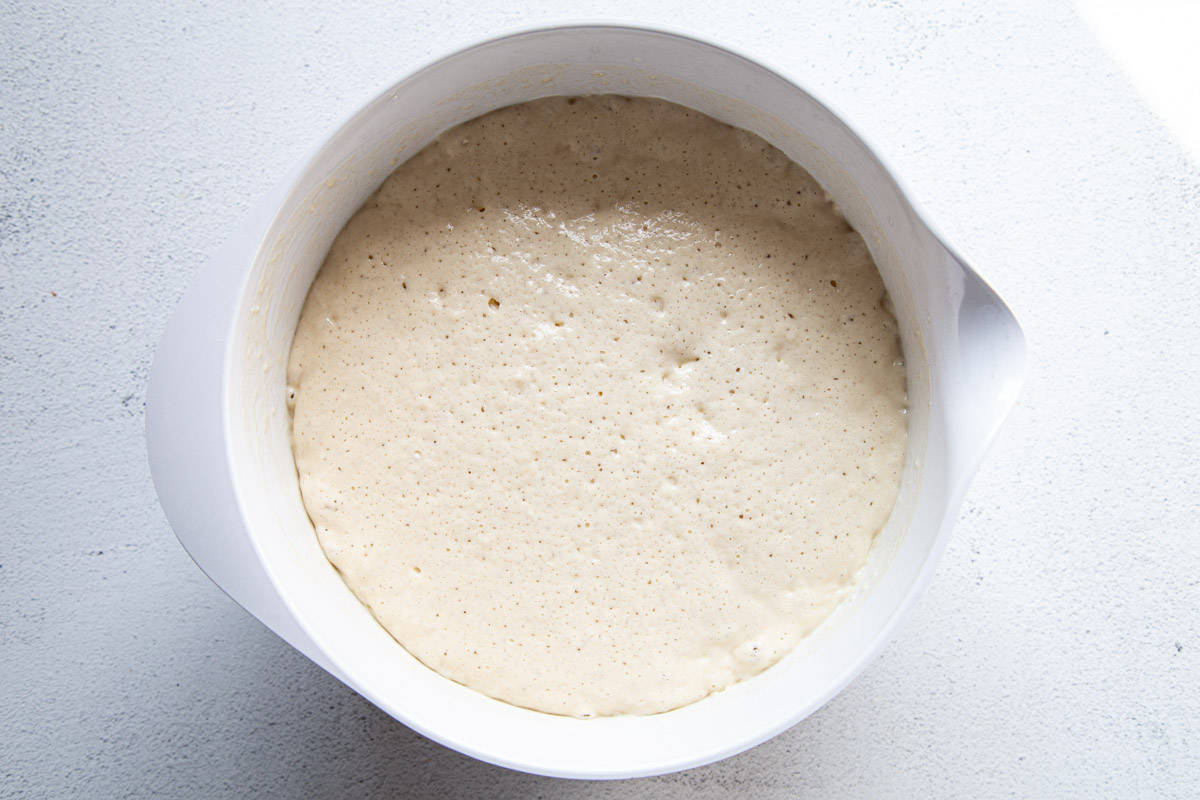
1057,653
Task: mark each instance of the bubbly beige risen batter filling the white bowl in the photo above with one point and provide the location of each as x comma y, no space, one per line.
598,406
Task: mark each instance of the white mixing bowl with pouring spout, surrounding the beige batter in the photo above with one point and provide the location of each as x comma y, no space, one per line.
218,425
